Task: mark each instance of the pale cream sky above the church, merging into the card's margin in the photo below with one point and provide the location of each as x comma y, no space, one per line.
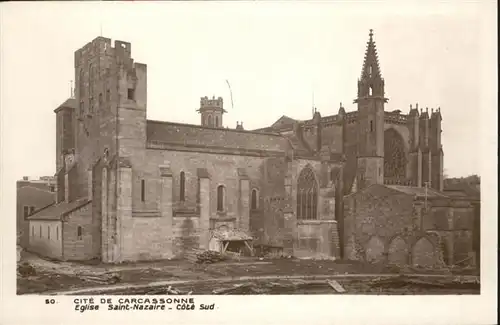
275,55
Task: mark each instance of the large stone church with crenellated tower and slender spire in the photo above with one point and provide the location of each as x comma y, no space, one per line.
129,188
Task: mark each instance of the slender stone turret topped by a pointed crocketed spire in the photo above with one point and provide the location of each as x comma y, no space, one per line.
370,120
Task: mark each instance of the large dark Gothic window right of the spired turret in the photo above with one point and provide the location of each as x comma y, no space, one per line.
394,155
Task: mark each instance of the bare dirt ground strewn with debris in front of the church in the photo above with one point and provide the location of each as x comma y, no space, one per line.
52,276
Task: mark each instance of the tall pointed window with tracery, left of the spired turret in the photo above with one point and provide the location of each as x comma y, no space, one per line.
307,195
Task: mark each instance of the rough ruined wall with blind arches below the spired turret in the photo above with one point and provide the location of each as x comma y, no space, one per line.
381,225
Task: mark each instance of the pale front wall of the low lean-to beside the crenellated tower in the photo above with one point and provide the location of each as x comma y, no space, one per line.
45,238
